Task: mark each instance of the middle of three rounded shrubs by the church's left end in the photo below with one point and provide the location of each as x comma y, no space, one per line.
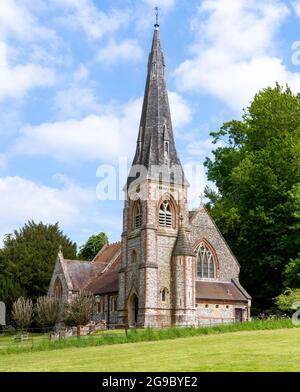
48,311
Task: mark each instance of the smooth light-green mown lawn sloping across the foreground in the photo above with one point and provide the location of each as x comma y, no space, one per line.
268,350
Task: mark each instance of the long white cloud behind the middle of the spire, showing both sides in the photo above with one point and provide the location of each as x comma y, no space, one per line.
103,137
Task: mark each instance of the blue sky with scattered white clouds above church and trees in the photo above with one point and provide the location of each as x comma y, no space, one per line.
72,76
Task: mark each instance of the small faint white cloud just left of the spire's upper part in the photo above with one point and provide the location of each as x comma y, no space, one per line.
128,49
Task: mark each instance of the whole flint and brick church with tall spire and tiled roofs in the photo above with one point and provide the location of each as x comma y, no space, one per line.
172,266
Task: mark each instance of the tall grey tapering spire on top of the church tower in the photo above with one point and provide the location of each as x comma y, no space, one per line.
155,144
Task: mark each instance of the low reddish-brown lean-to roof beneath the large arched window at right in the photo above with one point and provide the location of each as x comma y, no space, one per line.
219,291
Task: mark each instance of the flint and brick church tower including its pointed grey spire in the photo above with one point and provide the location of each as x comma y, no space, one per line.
156,253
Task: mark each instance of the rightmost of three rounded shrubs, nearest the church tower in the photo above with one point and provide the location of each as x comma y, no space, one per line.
80,310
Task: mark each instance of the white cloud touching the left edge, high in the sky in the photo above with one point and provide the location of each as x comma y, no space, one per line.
15,81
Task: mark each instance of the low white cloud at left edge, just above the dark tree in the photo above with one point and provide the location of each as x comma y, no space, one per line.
22,199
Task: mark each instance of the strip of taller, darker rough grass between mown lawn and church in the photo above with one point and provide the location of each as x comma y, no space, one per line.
140,335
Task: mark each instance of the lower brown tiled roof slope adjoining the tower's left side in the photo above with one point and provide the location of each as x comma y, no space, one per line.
108,282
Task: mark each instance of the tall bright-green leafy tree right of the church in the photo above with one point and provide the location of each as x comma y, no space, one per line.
257,205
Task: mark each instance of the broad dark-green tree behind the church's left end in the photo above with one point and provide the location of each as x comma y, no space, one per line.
27,260
